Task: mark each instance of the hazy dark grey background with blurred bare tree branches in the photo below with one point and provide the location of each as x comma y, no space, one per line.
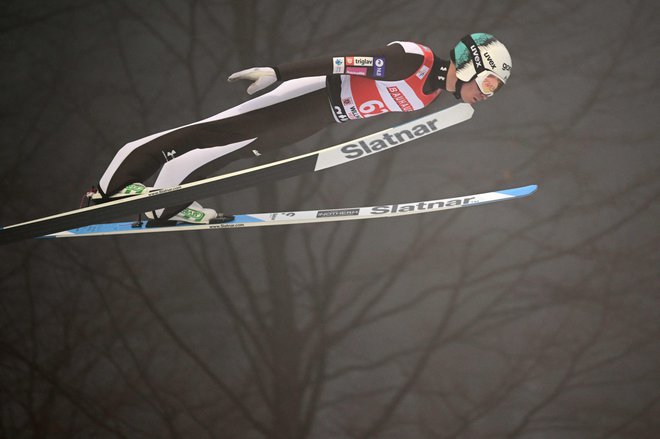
535,318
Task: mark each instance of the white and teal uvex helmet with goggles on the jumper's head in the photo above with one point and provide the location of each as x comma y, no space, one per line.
484,58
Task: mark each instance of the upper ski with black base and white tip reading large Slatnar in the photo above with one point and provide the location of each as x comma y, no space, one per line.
311,162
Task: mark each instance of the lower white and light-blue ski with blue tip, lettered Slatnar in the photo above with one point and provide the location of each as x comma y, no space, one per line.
307,216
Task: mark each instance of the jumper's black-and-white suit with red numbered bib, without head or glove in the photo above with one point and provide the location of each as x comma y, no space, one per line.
316,93
